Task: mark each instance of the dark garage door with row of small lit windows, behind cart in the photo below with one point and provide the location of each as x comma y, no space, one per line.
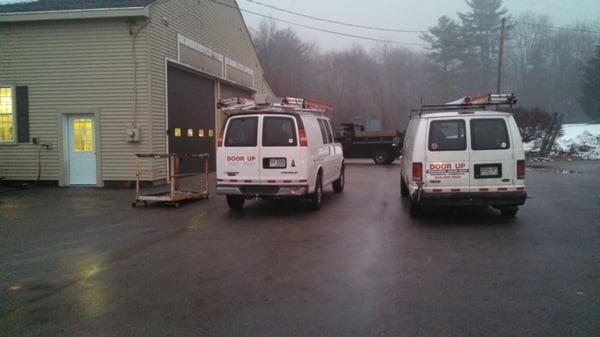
191,124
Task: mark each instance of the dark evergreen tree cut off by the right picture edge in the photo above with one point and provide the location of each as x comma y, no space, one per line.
590,87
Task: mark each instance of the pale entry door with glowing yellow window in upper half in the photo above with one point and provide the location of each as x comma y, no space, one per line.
82,150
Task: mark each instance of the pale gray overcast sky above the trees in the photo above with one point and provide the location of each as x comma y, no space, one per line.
409,15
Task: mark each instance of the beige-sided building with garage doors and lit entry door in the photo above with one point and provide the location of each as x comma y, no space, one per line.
86,85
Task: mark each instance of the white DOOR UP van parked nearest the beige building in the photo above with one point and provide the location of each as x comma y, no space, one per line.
276,148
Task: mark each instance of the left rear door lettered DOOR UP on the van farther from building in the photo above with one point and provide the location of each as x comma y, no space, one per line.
447,156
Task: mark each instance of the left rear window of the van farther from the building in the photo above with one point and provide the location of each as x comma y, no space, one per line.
447,135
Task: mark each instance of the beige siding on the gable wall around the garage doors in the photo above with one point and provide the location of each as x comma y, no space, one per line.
219,27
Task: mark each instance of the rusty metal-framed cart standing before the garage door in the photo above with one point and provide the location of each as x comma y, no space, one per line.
175,193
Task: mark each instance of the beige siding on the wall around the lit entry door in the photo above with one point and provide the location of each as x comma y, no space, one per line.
74,66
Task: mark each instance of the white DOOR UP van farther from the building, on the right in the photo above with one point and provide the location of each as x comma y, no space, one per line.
459,154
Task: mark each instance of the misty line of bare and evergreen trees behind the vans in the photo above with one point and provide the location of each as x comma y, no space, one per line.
549,69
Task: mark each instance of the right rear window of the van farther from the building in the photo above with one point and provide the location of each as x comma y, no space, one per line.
489,134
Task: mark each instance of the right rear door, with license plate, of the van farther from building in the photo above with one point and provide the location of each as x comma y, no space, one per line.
492,158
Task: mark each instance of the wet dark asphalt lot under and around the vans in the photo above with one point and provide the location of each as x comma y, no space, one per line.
84,262
